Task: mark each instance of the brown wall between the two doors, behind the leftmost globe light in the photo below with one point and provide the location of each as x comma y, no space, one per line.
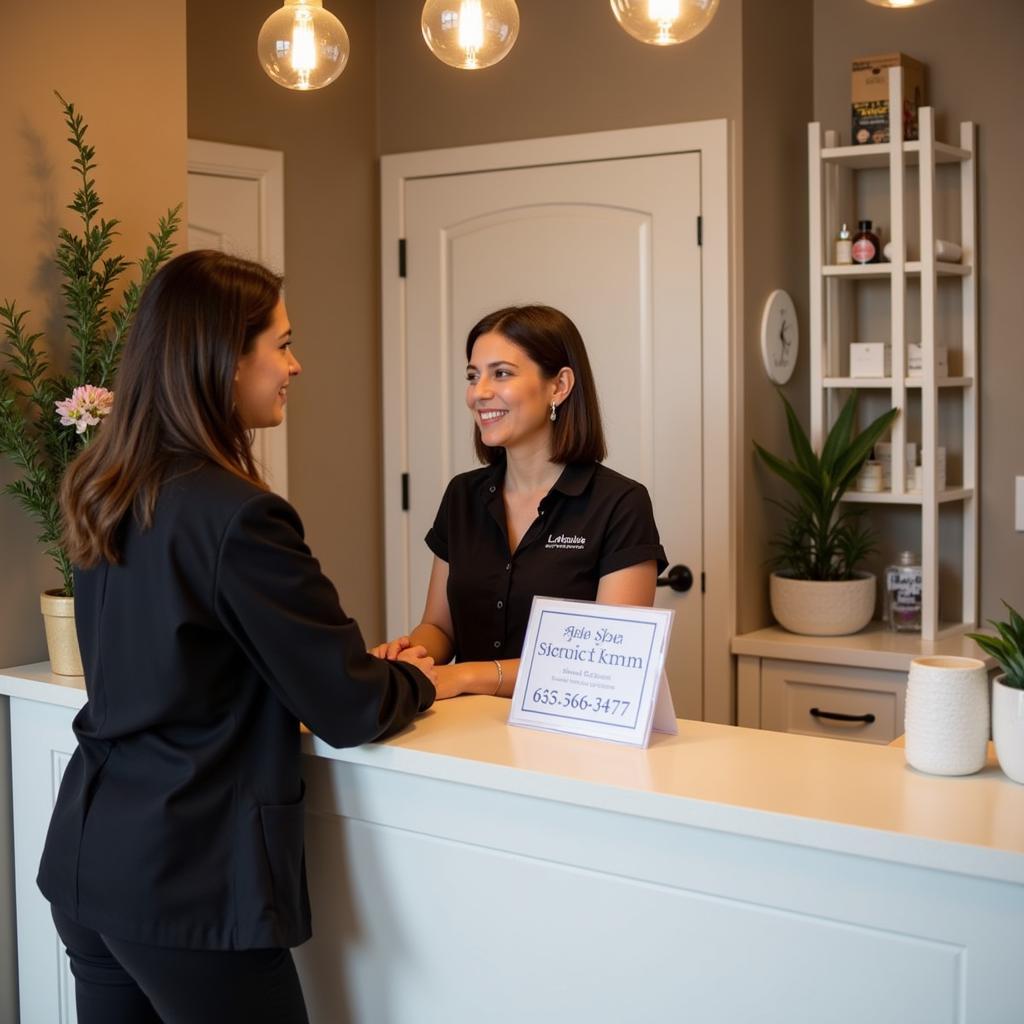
331,225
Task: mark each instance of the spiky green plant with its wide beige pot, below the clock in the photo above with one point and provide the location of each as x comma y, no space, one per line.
817,587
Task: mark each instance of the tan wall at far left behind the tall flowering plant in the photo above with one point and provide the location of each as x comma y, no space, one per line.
136,107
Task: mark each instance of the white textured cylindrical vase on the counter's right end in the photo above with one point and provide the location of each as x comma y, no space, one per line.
948,717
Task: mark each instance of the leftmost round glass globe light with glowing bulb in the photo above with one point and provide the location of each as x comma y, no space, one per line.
303,47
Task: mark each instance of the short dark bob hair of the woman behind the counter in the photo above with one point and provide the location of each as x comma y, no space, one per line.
552,342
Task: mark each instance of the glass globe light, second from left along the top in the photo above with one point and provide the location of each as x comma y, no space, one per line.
471,34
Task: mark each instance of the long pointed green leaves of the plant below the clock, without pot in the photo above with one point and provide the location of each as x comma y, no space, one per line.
821,539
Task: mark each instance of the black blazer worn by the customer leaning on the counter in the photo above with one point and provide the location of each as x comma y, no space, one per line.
180,822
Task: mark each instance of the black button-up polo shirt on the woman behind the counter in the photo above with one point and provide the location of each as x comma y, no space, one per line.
592,523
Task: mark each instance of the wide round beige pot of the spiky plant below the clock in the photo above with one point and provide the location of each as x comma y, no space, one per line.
823,609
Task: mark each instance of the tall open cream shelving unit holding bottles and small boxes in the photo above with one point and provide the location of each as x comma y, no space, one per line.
914,300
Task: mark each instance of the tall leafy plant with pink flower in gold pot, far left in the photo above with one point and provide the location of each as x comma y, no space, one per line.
49,411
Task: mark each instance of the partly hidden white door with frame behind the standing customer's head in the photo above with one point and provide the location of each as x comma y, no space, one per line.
236,205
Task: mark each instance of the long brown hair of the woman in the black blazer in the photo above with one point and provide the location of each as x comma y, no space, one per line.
174,397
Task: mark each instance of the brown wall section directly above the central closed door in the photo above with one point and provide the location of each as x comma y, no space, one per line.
572,70
